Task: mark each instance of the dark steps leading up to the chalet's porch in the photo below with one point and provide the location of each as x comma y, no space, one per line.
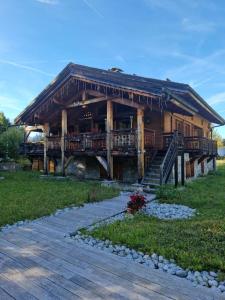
151,180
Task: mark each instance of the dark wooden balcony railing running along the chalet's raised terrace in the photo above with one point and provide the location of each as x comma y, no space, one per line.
122,141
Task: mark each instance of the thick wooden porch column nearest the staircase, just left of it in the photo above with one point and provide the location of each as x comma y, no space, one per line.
140,143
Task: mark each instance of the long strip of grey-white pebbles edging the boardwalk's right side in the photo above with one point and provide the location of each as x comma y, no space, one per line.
203,278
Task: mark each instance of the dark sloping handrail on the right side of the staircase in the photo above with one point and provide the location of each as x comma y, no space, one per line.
169,159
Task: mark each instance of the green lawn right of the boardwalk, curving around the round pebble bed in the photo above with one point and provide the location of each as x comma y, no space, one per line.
198,243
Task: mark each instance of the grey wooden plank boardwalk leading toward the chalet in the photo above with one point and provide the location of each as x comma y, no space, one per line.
37,261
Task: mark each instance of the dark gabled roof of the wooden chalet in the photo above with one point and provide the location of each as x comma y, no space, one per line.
134,83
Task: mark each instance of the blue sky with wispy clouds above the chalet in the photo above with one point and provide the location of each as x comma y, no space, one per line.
177,39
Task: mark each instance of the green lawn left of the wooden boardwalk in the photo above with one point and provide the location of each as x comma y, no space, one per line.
23,195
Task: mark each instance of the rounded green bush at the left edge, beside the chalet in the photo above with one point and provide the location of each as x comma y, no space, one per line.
10,141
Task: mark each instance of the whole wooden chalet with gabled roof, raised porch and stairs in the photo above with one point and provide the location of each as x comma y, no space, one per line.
107,124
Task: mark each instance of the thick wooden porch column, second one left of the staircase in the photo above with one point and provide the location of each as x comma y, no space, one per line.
109,127
